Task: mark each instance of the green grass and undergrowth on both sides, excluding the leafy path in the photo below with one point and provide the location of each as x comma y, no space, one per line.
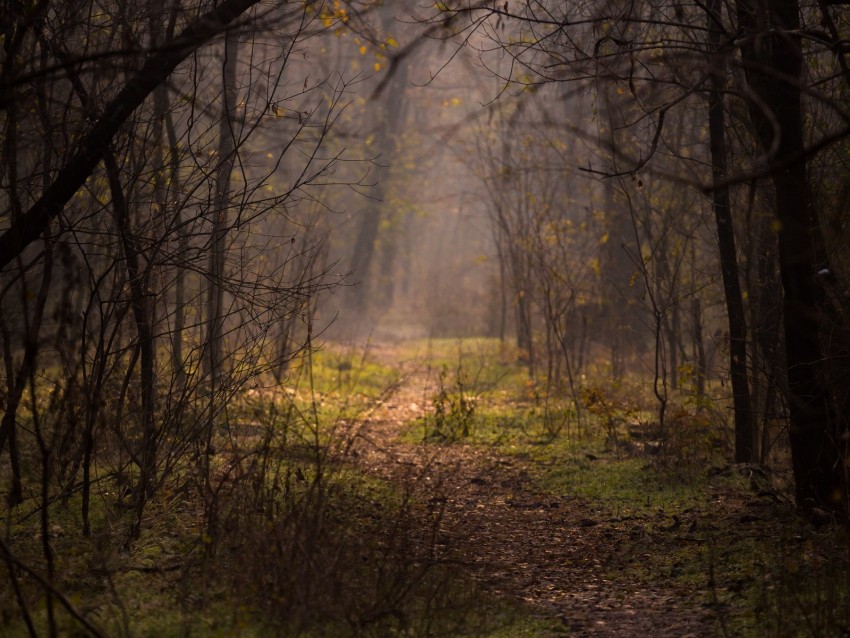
684,518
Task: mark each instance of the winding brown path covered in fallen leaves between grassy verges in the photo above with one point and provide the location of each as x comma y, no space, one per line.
556,554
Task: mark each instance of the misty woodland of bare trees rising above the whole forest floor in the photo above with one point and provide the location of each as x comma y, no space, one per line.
195,194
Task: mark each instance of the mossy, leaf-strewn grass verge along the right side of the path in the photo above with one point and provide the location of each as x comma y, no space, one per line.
668,508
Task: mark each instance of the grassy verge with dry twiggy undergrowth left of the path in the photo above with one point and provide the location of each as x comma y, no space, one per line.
281,536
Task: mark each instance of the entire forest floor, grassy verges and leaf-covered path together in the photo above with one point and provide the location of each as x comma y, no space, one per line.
430,489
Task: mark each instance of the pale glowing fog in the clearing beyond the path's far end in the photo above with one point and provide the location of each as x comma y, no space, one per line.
453,165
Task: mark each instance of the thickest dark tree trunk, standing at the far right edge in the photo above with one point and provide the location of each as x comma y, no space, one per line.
772,57
